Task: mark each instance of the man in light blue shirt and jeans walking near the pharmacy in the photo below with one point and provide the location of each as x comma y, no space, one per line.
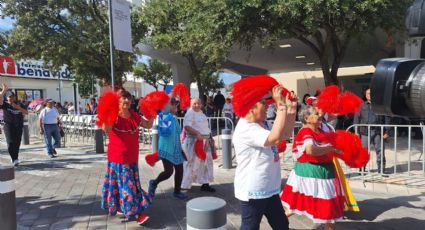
49,127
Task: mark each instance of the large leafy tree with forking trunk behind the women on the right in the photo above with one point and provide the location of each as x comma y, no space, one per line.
326,26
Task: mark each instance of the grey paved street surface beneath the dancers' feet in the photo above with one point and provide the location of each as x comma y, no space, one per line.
64,193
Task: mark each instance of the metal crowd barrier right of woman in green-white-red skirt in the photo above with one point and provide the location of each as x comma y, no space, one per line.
404,156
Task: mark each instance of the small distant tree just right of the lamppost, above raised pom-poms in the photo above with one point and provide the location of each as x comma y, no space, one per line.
155,73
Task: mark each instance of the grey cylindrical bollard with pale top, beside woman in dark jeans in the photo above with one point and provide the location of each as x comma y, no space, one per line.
206,213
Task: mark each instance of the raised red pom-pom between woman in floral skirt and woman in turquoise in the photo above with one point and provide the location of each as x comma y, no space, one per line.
152,103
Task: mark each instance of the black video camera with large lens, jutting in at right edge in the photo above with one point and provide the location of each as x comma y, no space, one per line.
398,84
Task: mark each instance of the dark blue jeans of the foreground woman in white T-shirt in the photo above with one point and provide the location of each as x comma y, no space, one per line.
253,211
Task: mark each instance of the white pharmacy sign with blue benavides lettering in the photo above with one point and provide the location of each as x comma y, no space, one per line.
31,69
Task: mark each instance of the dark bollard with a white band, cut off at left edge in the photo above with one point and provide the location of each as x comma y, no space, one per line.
7,198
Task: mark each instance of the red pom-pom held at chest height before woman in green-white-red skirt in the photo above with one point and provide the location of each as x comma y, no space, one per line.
353,154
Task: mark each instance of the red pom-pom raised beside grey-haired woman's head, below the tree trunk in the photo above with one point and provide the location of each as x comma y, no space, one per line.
332,100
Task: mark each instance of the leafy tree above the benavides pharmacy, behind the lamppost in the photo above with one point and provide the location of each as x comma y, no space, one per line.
72,32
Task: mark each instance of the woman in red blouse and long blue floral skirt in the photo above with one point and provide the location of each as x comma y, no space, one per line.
122,192
